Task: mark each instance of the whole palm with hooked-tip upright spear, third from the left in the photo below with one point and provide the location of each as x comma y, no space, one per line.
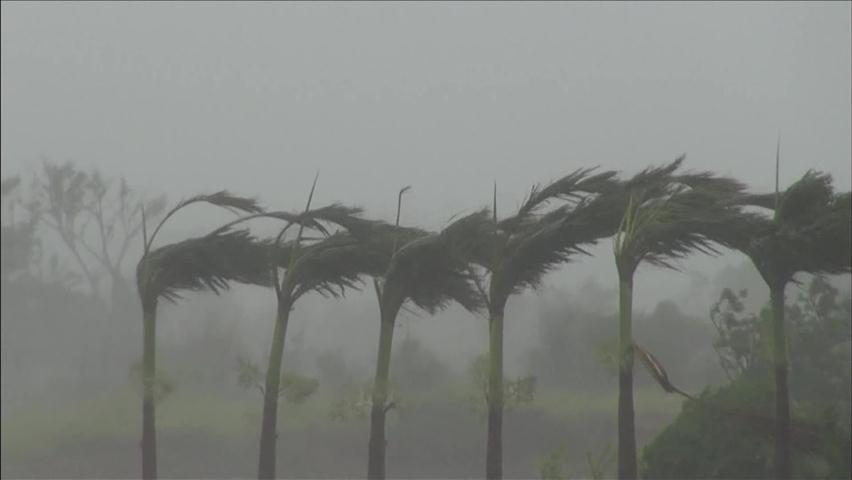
428,270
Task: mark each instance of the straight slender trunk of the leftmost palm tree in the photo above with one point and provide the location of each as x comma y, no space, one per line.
149,372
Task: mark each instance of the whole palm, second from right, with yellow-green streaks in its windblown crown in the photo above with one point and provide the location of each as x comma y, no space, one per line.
666,217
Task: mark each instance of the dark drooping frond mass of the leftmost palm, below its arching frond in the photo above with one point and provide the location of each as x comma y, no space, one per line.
203,263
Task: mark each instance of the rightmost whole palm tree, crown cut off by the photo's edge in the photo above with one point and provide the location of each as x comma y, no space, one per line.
808,232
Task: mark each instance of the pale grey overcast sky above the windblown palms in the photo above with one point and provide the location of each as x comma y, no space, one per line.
189,98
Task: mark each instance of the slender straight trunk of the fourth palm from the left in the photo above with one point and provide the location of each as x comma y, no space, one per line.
494,450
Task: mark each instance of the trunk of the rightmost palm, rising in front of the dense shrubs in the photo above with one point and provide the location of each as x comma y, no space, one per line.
783,451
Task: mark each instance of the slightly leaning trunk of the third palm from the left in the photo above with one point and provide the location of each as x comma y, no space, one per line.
377,444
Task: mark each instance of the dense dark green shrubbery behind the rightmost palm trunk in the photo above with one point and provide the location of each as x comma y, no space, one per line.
713,439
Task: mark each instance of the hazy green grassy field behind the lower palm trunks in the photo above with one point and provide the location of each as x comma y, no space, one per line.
438,434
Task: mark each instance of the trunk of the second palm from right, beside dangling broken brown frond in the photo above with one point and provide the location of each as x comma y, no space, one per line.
626,427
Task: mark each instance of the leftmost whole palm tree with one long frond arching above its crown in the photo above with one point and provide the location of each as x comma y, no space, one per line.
209,263
